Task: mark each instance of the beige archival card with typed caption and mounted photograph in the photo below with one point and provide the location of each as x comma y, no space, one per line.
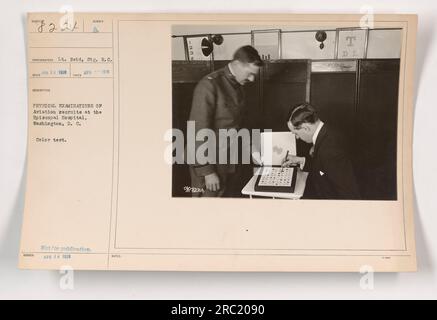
220,142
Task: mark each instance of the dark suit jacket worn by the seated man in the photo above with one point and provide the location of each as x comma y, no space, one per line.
331,175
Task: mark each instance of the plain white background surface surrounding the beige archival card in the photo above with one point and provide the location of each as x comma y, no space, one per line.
15,283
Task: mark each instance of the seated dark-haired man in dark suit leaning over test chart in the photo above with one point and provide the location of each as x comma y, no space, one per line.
331,174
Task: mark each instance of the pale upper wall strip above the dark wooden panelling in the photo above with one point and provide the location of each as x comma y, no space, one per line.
295,45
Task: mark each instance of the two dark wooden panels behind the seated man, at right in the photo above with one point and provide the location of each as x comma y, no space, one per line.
360,99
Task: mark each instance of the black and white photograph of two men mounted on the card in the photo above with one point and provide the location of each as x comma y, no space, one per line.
285,112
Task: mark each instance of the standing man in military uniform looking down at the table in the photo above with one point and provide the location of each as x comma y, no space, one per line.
218,103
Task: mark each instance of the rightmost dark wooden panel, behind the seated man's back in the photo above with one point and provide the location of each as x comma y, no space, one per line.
377,119
